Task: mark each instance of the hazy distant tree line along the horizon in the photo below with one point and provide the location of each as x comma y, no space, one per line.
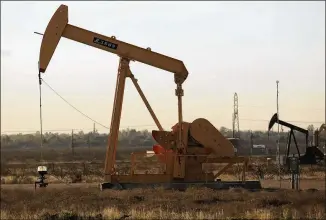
129,138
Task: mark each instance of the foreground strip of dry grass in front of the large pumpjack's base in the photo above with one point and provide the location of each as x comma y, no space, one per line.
85,201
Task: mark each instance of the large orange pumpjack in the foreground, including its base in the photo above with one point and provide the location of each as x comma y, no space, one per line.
183,150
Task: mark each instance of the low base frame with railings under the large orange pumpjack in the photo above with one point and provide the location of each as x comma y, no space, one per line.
131,181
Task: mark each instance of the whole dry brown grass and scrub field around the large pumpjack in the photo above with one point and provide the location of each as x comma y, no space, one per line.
73,192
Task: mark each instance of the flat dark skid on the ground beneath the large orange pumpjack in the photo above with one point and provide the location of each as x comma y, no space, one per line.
217,185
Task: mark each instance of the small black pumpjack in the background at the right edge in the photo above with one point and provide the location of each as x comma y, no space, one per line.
313,154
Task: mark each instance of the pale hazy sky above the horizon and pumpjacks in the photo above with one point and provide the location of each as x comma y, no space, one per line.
227,47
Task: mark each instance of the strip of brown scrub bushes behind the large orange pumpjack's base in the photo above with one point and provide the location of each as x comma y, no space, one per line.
84,171
